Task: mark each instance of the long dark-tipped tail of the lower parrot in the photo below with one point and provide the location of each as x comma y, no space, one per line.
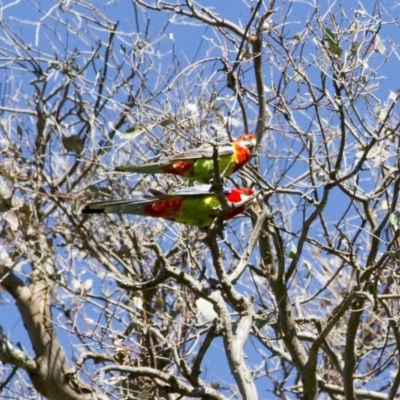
136,207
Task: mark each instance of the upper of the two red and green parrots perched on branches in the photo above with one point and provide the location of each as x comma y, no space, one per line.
197,164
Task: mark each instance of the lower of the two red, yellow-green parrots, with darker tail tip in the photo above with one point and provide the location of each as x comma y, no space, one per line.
195,206
